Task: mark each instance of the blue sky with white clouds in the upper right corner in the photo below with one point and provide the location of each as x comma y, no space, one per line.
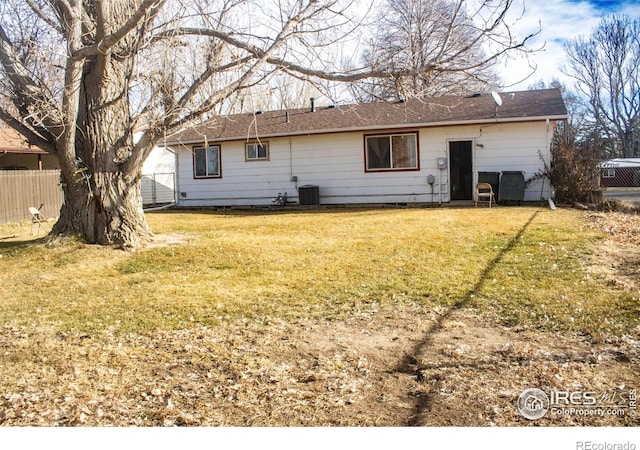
560,20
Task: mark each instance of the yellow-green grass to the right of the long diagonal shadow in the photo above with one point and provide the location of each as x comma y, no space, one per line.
541,280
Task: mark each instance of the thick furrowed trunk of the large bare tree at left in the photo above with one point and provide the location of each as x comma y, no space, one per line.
103,201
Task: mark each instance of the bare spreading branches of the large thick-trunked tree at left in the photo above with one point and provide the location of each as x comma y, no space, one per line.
231,48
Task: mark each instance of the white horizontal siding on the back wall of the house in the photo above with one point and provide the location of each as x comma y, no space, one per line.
335,163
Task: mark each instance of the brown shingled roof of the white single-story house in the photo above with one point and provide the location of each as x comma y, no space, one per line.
436,111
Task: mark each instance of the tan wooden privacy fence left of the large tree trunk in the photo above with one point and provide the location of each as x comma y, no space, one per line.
20,189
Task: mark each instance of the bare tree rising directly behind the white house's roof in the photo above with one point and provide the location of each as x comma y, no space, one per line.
458,43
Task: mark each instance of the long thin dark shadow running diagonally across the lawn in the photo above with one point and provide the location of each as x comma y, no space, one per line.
409,364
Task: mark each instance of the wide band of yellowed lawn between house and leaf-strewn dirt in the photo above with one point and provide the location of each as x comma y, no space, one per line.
523,265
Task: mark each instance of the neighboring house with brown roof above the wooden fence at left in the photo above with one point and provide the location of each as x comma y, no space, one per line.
17,154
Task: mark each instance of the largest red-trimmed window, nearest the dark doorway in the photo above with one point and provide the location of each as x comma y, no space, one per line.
385,152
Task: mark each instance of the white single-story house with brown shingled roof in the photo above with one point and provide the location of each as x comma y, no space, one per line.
429,150
